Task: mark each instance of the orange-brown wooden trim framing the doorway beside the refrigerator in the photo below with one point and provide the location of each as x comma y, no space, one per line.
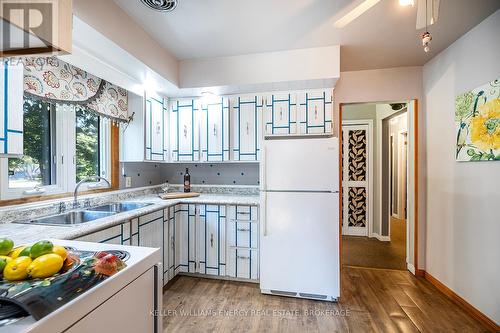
413,122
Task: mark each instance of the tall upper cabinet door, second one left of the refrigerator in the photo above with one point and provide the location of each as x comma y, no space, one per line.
214,130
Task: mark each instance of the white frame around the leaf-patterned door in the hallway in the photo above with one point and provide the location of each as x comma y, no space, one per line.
369,123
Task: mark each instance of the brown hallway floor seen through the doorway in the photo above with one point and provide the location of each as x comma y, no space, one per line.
372,253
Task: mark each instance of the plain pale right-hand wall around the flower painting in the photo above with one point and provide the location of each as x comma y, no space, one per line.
463,216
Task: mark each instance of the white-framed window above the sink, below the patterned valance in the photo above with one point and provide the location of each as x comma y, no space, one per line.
63,144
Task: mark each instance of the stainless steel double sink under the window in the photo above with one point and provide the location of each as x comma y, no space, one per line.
88,214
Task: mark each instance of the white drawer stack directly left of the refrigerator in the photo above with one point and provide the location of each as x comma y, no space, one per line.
243,242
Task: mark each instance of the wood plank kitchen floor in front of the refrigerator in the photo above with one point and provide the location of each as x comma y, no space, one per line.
372,301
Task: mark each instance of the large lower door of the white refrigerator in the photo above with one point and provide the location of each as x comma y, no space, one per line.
299,244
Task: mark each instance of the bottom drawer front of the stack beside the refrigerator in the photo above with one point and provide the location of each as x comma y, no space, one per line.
243,263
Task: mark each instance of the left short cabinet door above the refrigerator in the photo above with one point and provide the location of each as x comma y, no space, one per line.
281,114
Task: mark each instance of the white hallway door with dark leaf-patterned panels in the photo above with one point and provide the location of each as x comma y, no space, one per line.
356,177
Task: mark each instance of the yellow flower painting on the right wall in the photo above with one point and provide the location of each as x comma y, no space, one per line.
477,119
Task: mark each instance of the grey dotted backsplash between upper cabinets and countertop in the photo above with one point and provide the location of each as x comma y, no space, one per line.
150,173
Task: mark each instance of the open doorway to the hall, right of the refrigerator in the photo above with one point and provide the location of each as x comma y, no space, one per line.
375,185
